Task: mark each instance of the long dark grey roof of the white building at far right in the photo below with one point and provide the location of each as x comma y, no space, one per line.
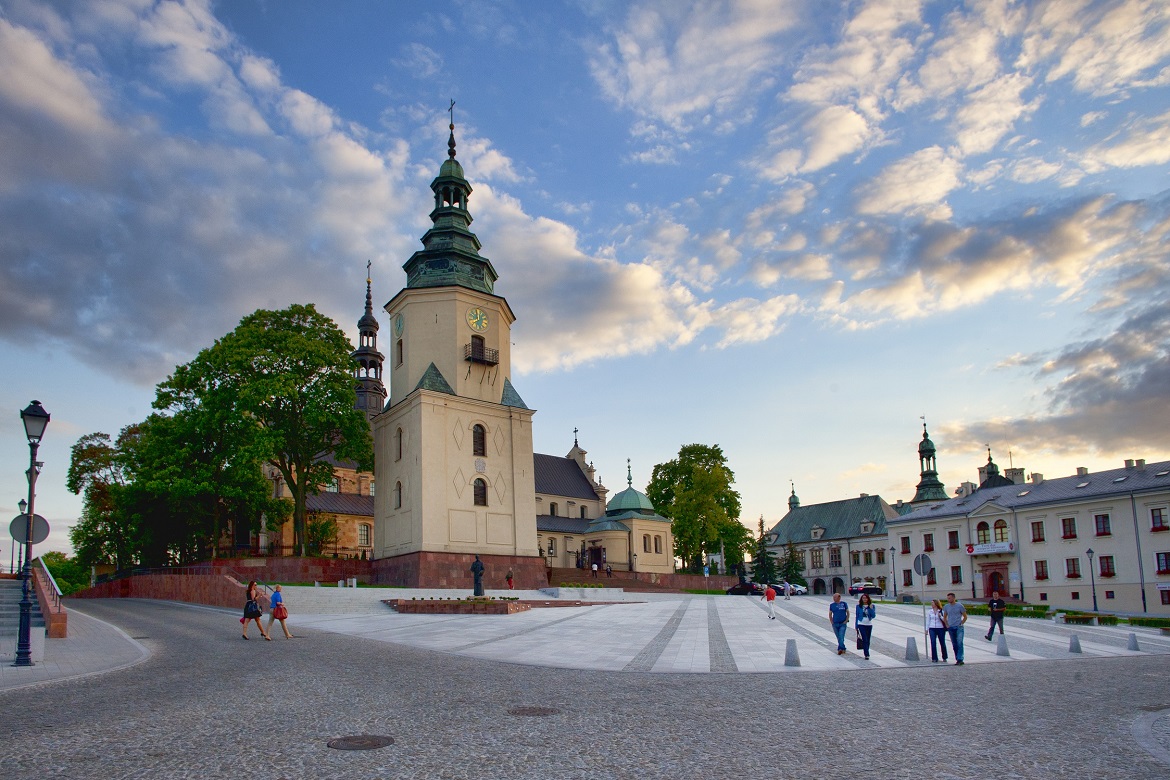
1062,491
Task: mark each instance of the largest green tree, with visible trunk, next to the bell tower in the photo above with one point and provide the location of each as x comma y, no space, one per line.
285,379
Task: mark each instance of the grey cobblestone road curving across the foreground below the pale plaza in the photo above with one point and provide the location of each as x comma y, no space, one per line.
208,705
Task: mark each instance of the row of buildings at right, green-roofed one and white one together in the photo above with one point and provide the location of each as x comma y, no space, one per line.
1091,541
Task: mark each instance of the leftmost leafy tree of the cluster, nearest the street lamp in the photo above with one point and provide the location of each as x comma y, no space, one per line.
105,534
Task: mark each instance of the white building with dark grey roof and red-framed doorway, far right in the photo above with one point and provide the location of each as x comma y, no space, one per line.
1085,542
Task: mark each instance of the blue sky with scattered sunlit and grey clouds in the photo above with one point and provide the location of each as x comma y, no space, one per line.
790,229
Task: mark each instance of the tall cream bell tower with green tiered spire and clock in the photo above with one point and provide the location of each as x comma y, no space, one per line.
455,447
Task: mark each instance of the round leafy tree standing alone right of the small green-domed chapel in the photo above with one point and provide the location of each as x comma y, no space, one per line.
696,492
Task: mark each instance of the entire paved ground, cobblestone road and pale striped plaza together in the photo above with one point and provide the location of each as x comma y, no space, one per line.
669,687
